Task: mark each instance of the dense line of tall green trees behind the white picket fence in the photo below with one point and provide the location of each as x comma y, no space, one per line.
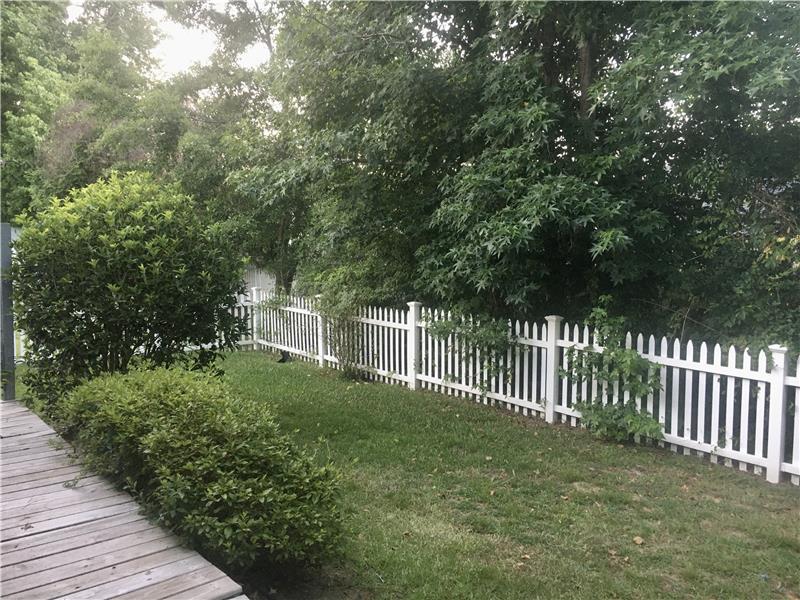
512,159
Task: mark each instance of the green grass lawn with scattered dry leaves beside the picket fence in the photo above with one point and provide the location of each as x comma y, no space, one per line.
443,498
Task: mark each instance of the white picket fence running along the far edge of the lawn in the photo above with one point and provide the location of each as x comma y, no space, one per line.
734,408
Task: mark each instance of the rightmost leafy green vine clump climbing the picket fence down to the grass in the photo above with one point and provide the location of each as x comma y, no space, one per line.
618,365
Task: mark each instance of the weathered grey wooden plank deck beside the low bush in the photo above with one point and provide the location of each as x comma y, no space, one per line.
86,541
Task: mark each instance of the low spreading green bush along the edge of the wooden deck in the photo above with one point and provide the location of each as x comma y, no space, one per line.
211,467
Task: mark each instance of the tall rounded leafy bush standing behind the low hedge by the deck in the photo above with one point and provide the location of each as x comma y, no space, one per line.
120,268
